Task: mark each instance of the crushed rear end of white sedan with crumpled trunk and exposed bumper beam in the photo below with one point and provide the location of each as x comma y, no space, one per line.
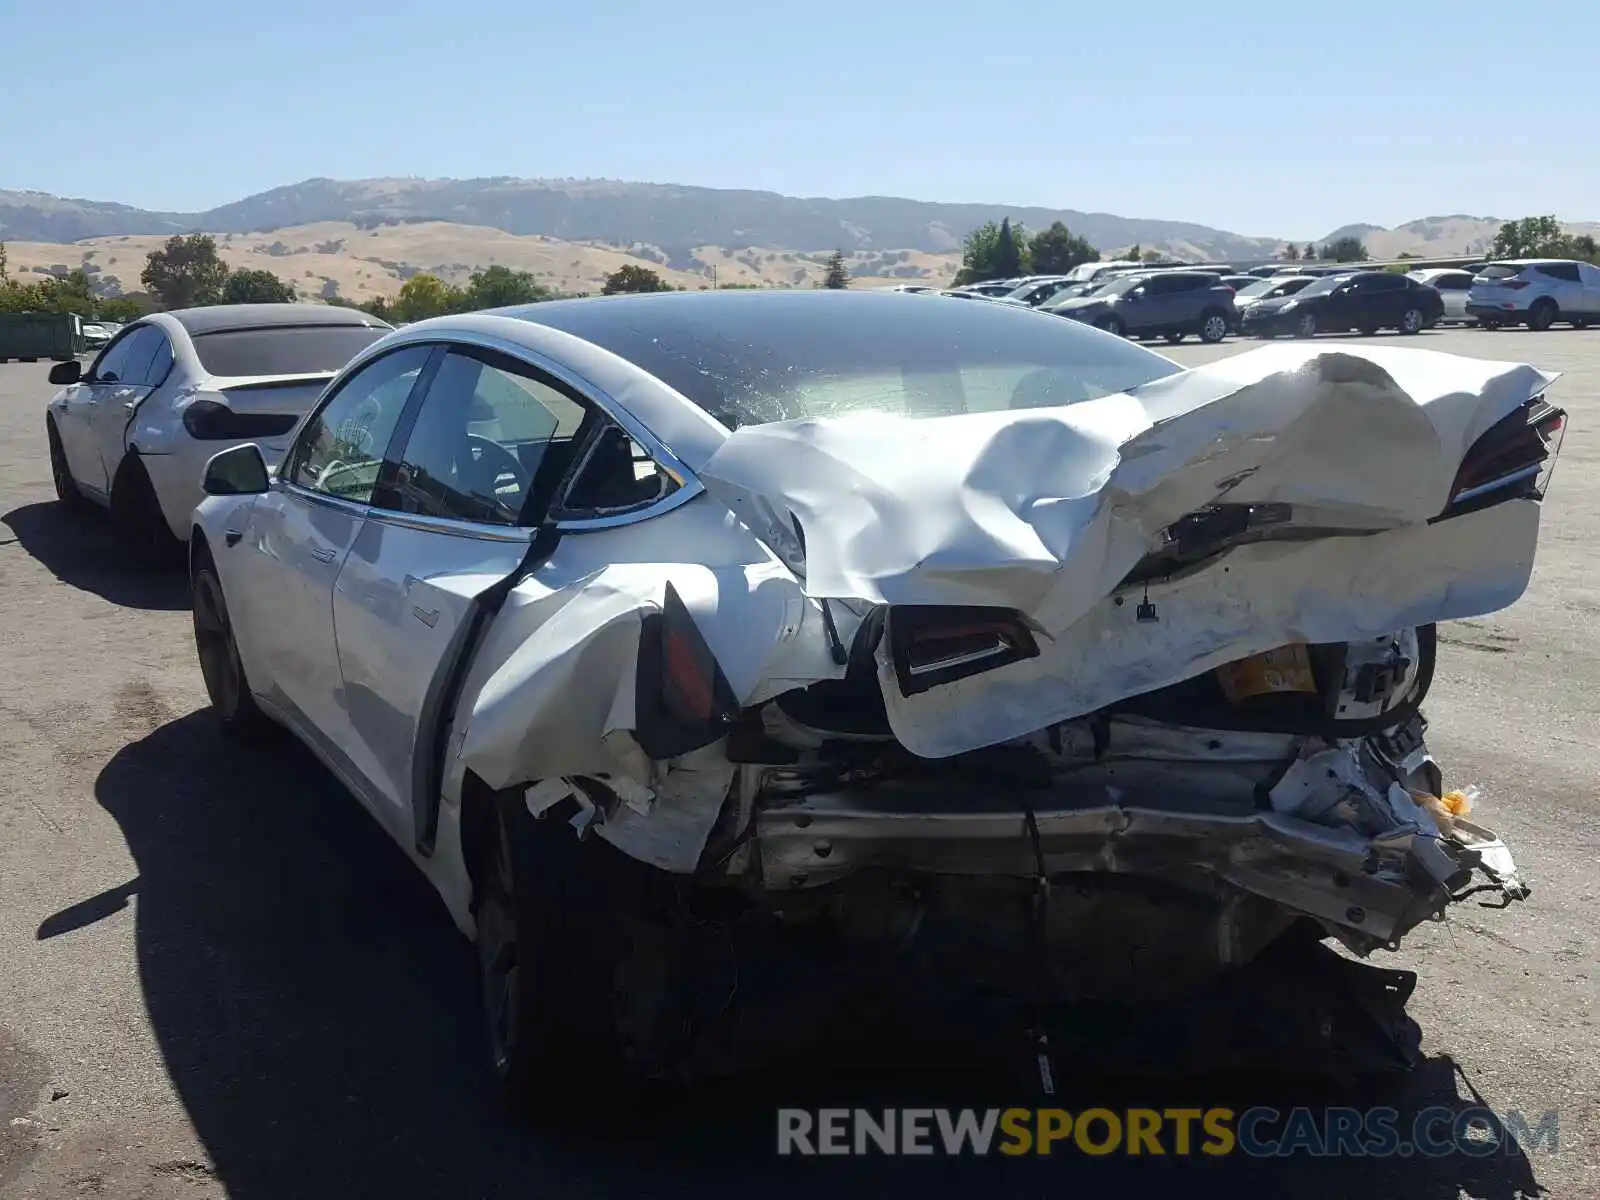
1092,703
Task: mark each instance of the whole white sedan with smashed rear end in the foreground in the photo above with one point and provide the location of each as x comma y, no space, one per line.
665,631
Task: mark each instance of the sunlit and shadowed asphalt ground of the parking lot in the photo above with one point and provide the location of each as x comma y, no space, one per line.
220,978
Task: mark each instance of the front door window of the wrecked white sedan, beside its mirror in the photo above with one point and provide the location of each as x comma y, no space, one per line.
342,449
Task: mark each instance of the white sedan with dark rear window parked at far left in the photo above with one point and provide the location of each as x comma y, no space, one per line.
135,431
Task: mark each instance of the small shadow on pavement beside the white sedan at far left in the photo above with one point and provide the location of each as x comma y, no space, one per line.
81,551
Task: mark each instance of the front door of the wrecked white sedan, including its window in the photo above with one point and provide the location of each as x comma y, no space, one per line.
281,578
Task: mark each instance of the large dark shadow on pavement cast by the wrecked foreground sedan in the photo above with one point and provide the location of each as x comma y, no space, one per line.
318,1015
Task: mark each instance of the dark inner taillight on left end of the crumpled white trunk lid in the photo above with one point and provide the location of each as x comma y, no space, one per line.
932,647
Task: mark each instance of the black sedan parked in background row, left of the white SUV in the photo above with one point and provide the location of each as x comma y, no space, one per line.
1364,300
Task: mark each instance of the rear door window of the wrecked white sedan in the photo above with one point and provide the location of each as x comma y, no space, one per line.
489,444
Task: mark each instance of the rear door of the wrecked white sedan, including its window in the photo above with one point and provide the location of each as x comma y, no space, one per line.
482,450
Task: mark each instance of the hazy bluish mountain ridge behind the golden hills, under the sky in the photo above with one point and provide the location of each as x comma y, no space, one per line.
671,217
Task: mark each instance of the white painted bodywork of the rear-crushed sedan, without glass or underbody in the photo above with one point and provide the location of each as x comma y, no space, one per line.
1046,511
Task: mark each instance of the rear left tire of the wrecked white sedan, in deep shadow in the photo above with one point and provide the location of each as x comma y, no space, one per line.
551,924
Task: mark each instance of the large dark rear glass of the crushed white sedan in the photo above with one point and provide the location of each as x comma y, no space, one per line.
788,356
